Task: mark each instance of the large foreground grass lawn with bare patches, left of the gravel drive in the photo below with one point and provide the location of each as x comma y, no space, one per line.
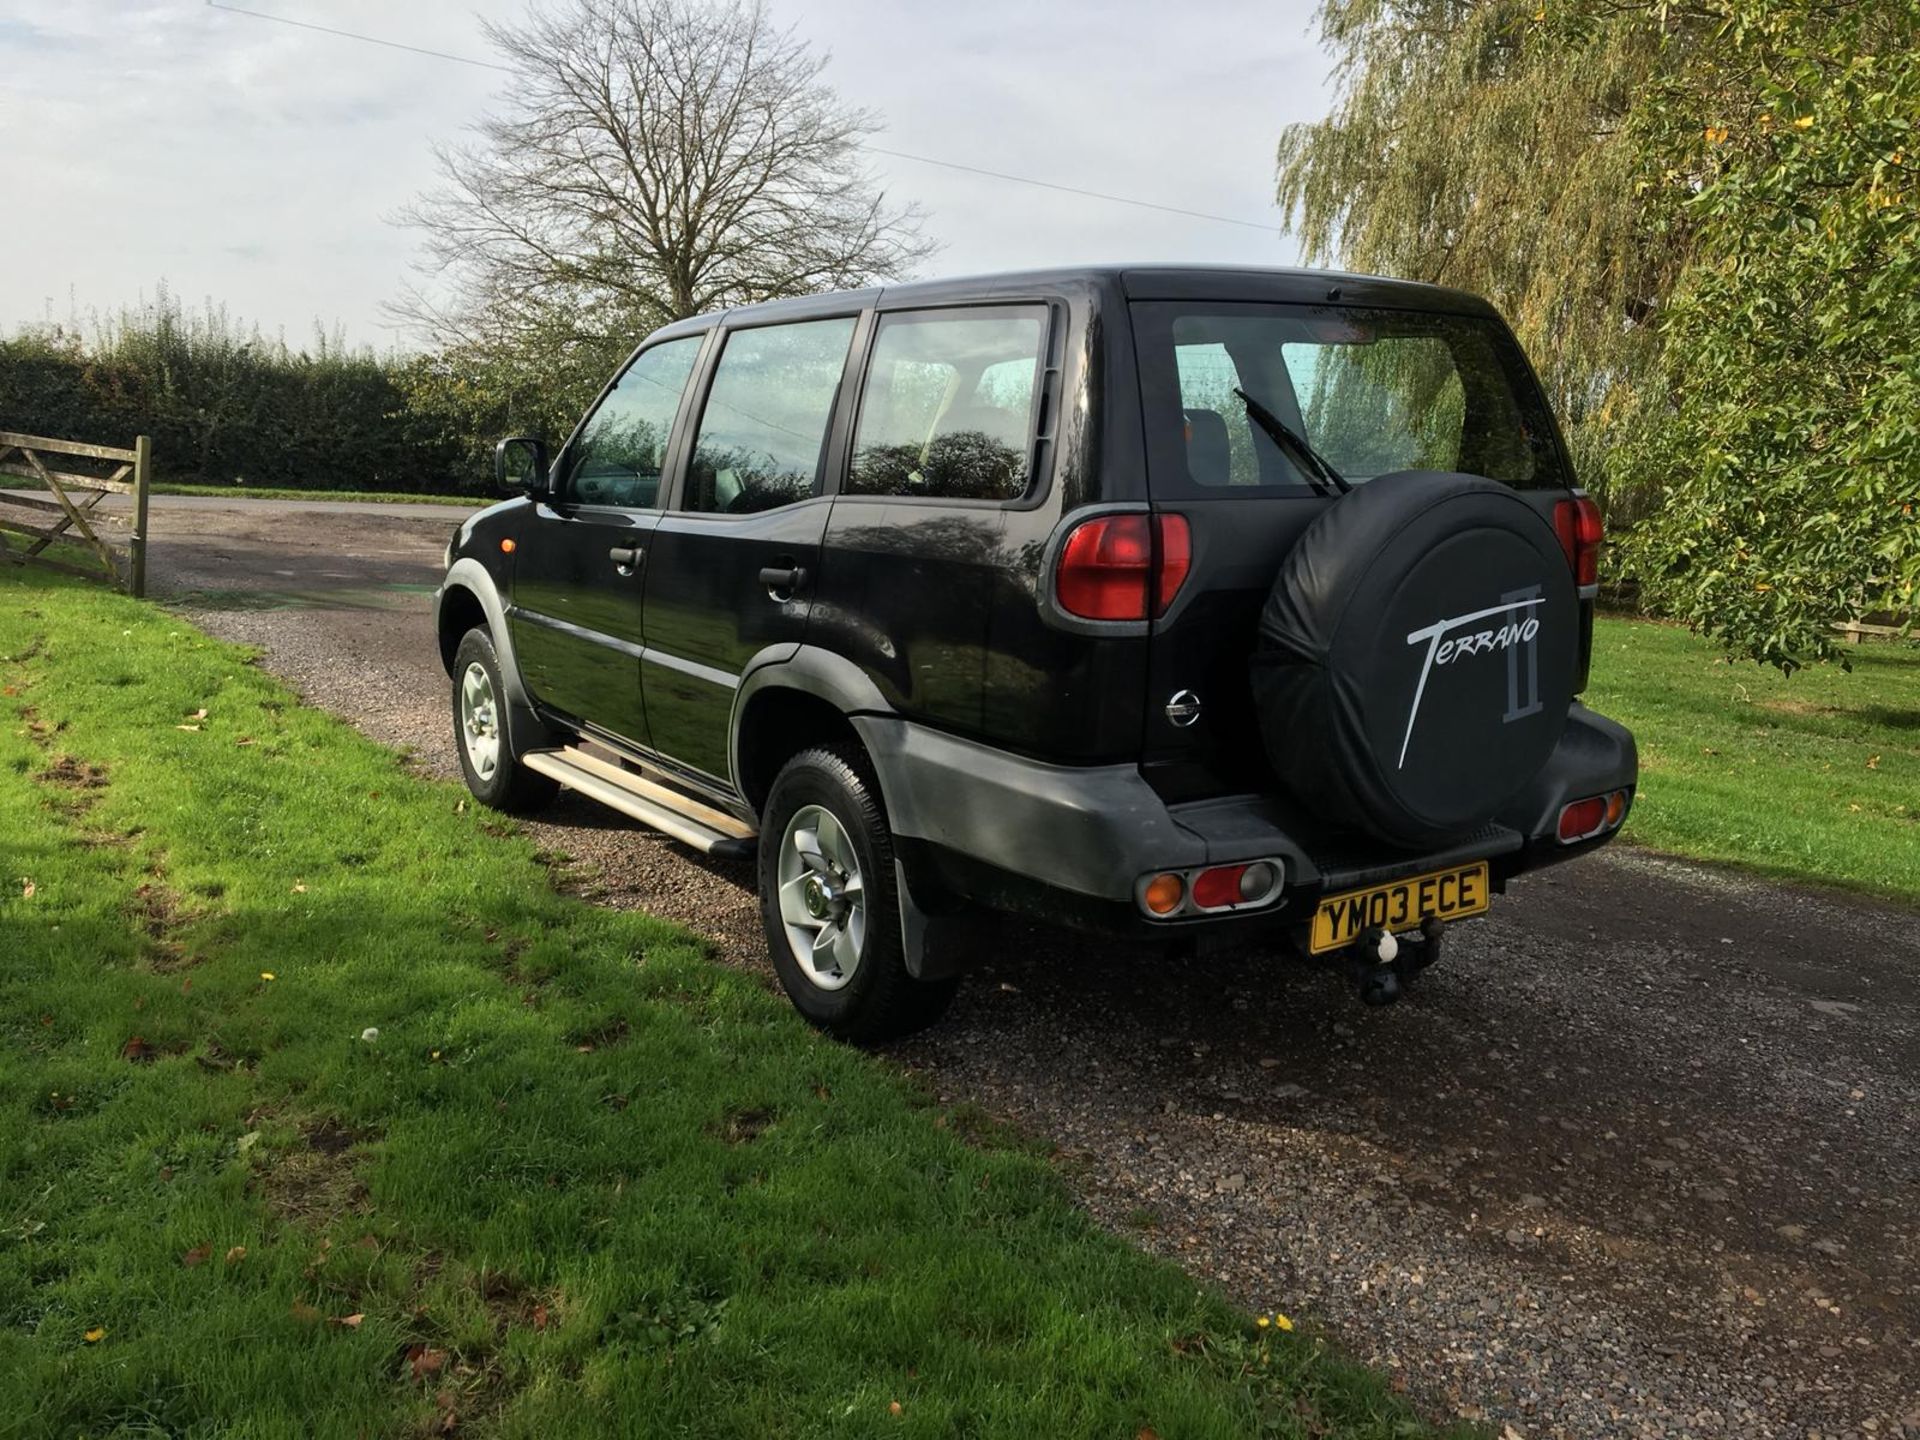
324,1115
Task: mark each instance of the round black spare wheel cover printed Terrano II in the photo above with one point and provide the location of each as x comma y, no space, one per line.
1416,658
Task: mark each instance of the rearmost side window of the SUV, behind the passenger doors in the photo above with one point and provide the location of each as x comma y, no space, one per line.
948,408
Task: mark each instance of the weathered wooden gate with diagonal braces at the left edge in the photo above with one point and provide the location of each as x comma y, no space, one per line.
126,473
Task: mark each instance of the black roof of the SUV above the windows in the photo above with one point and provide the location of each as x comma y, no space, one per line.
1212,283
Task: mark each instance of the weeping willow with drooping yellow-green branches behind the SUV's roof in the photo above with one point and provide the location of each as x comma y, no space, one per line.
1489,145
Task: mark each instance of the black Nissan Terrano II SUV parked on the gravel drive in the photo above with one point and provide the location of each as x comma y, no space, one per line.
1186,604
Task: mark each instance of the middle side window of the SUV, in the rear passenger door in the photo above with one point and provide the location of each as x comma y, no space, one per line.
767,418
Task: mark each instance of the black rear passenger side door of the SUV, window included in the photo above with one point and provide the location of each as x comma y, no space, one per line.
734,567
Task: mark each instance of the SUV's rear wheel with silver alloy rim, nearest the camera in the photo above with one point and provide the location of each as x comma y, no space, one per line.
830,907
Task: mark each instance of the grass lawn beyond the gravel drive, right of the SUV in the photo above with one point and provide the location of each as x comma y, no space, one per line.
1808,777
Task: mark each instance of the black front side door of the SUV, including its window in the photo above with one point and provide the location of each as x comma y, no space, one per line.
579,569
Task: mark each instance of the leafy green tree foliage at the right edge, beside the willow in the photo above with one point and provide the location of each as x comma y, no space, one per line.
1790,448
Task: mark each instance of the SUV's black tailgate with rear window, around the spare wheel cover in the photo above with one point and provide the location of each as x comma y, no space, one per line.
1374,391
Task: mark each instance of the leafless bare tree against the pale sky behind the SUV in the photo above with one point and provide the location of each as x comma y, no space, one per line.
658,160
